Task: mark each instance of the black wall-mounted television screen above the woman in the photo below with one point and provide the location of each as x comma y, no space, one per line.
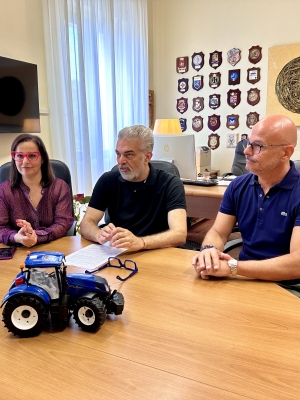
19,99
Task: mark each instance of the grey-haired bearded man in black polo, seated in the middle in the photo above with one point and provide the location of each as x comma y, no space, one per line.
146,206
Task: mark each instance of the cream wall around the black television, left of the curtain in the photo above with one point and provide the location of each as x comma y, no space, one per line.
22,38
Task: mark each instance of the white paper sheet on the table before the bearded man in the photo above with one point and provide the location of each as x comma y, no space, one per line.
92,256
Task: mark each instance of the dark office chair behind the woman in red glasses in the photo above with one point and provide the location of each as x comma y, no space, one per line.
61,171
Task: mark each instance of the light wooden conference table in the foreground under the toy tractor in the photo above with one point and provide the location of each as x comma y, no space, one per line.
179,337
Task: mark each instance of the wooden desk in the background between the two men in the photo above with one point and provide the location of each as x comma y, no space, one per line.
203,202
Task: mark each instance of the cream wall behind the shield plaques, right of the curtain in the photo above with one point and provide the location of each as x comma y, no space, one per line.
179,28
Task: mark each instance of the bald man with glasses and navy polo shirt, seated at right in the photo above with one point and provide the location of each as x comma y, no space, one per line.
266,205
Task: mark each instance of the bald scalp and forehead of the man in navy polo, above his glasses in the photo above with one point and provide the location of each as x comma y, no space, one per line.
275,129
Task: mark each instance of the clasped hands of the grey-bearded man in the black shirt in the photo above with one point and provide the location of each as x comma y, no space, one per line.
119,238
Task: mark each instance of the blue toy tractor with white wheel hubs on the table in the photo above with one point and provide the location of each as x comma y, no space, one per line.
45,288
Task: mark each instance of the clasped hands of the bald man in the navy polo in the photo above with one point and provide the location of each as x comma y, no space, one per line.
211,262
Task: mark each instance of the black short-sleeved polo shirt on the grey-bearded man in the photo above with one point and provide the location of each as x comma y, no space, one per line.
141,207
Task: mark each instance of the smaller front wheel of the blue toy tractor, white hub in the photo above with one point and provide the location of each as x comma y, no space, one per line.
89,314
